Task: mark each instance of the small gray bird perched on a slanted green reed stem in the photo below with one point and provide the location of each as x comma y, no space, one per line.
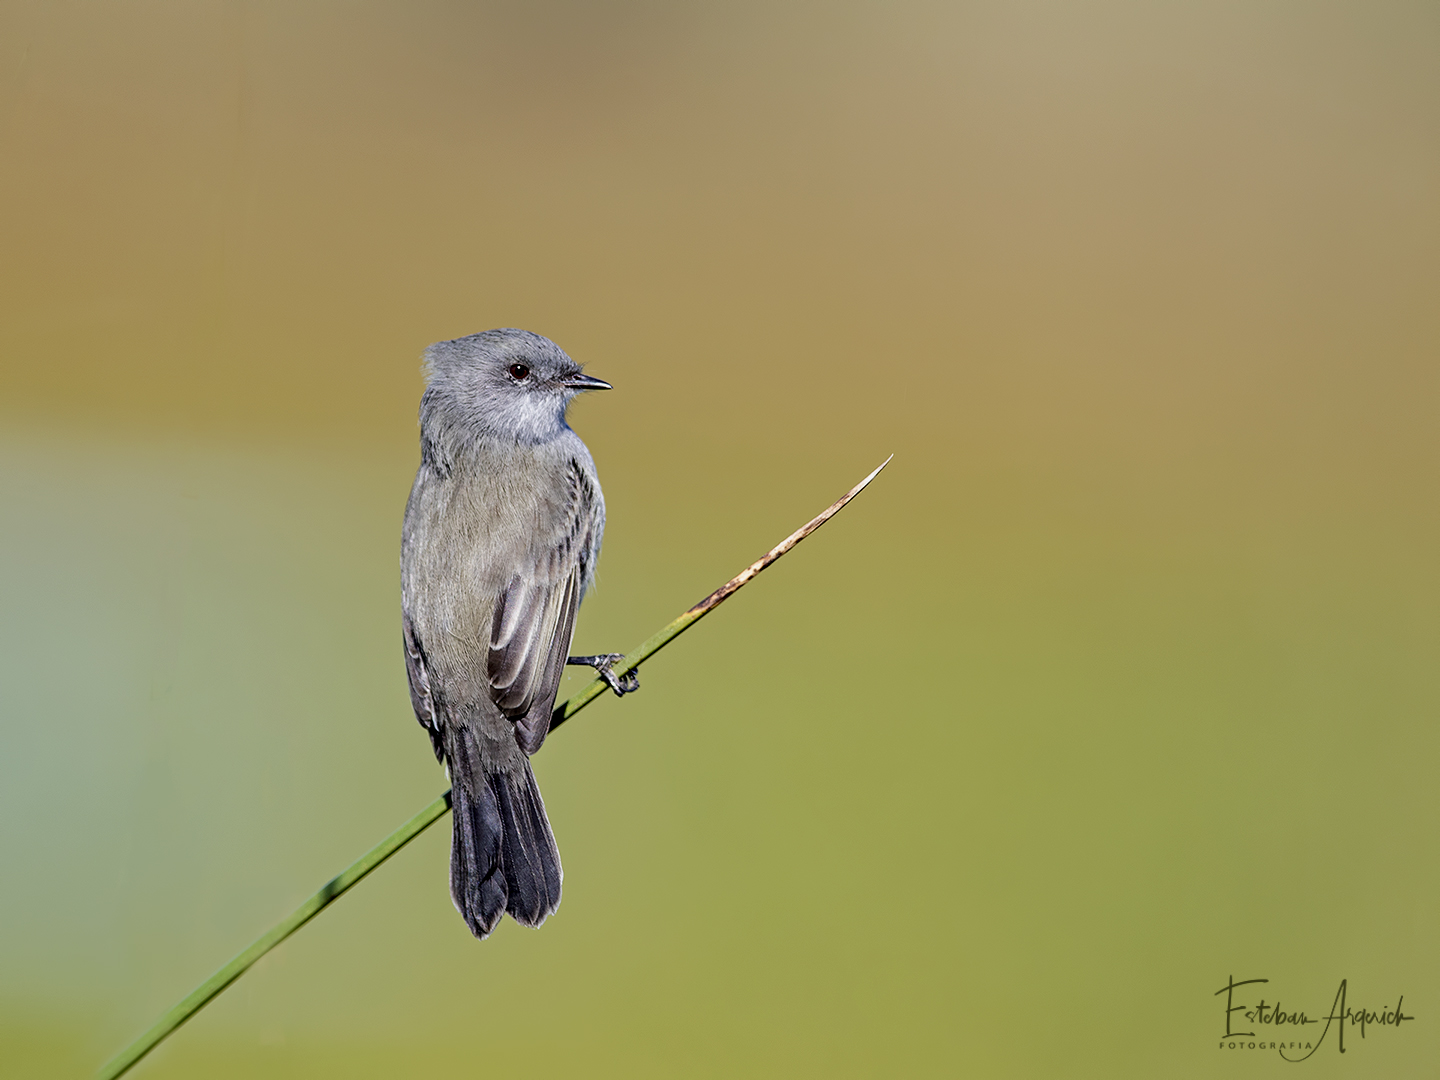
502,535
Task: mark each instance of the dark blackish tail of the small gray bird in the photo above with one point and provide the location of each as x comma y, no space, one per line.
503,855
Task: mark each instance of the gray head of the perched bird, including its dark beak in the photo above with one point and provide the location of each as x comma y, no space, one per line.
509,385
